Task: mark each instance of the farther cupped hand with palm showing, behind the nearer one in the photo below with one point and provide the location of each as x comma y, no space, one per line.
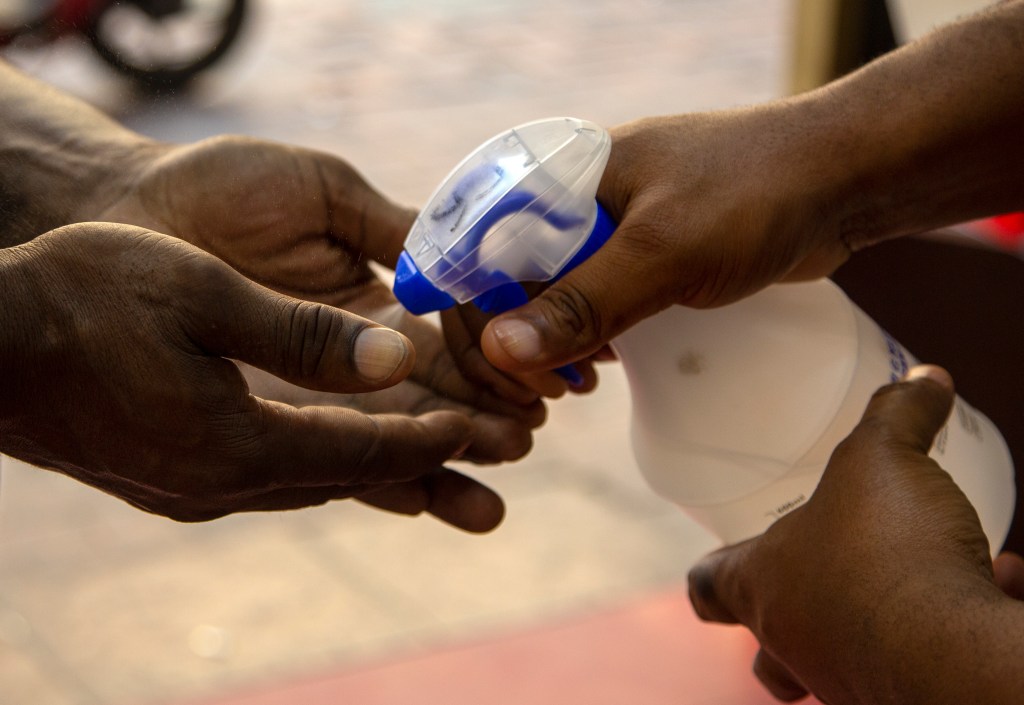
307,225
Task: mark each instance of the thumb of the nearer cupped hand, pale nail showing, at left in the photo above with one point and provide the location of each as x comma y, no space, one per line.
311,345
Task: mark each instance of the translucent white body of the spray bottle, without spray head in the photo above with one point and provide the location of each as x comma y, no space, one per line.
737,410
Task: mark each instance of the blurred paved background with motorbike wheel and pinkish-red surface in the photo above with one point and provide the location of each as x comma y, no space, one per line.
580,596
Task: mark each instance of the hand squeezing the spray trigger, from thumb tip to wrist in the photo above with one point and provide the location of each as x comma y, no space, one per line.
711,209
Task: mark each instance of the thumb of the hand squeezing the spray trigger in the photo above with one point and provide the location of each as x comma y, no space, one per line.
578,315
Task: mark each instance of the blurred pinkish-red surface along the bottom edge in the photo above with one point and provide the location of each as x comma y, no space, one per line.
652,651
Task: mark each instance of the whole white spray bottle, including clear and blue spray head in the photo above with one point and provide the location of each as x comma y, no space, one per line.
736,410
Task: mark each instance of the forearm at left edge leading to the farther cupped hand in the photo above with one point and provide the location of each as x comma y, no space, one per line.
61,160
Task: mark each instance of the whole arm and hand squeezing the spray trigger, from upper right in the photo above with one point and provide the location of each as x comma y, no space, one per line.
713,208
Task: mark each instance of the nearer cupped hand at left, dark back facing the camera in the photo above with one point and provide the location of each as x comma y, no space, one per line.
123,342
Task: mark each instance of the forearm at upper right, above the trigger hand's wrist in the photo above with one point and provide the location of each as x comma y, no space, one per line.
930,136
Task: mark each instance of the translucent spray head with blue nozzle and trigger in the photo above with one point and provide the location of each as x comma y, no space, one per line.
521,209
